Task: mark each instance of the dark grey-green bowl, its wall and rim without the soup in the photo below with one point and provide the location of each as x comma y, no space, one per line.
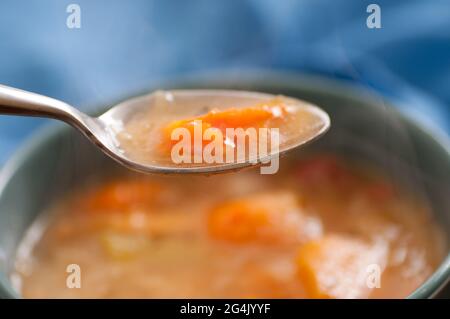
364,125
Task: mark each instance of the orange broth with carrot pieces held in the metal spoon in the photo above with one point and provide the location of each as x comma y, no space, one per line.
216,131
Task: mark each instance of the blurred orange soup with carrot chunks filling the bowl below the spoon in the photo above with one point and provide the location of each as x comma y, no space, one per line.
320,228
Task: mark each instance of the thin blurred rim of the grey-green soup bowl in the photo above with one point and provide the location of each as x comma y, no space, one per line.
251,77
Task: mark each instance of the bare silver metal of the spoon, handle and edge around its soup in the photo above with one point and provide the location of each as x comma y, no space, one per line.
102,130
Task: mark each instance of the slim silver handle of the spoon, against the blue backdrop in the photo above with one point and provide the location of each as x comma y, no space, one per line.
18,102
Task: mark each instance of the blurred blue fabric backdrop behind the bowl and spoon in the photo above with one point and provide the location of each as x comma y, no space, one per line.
126,46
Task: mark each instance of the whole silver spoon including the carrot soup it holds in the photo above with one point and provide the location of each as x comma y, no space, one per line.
186,131
